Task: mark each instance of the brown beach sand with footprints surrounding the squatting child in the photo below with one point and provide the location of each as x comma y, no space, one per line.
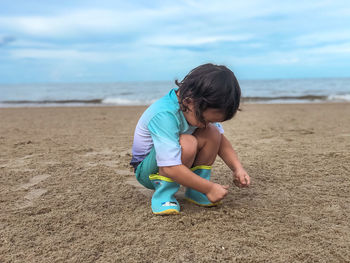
67,193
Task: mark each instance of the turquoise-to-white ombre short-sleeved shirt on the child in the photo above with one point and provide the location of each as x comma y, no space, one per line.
160,127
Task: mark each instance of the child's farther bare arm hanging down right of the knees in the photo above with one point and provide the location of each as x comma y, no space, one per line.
229,156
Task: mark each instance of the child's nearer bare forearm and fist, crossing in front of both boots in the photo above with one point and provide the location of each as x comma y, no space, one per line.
184,176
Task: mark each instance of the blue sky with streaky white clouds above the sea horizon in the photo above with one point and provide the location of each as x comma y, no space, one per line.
110,40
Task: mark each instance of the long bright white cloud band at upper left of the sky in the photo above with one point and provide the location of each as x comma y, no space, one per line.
86,21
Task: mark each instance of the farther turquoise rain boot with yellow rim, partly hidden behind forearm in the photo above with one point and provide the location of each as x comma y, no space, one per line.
196,197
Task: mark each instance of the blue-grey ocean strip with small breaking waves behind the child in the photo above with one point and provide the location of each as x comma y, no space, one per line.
145,93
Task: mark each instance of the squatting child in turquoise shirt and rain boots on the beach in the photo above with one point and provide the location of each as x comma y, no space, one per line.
178,138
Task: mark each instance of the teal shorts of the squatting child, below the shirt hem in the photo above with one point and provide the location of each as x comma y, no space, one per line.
147,167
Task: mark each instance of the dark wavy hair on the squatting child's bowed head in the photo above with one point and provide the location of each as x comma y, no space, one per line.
210,86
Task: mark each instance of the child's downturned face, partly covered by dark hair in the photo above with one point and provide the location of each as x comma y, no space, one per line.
209,115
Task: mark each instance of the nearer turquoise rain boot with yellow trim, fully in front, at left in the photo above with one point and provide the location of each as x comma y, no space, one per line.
163,200
